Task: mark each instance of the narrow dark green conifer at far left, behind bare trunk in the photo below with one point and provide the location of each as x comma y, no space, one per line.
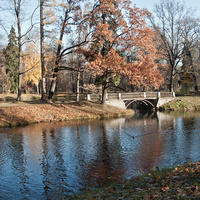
11,59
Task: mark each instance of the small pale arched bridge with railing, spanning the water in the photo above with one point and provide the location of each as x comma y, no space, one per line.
124,100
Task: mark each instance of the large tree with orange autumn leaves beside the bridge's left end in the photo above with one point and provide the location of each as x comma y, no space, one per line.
120,29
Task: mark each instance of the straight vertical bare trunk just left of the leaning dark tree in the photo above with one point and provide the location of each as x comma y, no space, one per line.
43,80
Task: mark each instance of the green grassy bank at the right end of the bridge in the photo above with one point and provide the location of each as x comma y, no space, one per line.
185,103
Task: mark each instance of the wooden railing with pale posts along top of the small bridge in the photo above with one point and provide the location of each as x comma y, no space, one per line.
131,95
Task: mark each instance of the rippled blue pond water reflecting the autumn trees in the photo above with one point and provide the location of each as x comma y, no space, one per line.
49,161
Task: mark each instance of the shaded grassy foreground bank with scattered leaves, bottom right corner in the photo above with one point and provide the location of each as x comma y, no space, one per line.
181,182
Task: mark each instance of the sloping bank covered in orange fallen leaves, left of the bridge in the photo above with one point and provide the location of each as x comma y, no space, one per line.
26,114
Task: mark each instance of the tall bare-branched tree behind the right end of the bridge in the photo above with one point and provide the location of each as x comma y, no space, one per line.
172,28
